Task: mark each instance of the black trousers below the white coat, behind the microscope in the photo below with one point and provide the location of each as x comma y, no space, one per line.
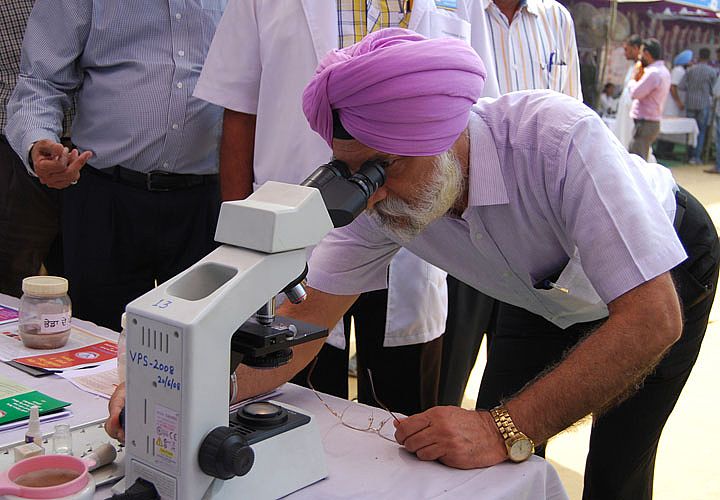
405,377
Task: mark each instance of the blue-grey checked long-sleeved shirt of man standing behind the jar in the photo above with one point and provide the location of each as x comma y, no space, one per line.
134,66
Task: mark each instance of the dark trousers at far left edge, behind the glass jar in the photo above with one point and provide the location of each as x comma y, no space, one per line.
29,224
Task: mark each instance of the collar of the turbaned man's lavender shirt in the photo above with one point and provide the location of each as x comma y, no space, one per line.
486,185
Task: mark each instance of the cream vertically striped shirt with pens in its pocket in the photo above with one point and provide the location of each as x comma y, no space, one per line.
536,49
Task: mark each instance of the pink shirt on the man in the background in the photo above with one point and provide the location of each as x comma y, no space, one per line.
649,93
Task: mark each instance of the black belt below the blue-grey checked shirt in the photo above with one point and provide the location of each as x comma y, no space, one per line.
154,181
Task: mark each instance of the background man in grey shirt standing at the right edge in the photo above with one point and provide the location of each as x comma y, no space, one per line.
698,84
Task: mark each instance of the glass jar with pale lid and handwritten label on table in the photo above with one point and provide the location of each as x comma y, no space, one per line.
45,312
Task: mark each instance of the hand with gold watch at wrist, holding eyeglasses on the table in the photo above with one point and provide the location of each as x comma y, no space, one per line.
464,439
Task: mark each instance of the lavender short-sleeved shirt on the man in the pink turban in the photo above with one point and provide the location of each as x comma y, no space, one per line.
551,192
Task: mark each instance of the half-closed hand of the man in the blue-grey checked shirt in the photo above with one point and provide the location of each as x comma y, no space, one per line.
55,165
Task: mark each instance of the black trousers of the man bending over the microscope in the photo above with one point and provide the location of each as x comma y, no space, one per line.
623,442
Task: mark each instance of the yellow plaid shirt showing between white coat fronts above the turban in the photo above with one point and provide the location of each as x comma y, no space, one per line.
357,18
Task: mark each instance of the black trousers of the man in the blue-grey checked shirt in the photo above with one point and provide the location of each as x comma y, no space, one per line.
120,240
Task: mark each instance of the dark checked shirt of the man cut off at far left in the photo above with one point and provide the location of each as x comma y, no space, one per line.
13,19
